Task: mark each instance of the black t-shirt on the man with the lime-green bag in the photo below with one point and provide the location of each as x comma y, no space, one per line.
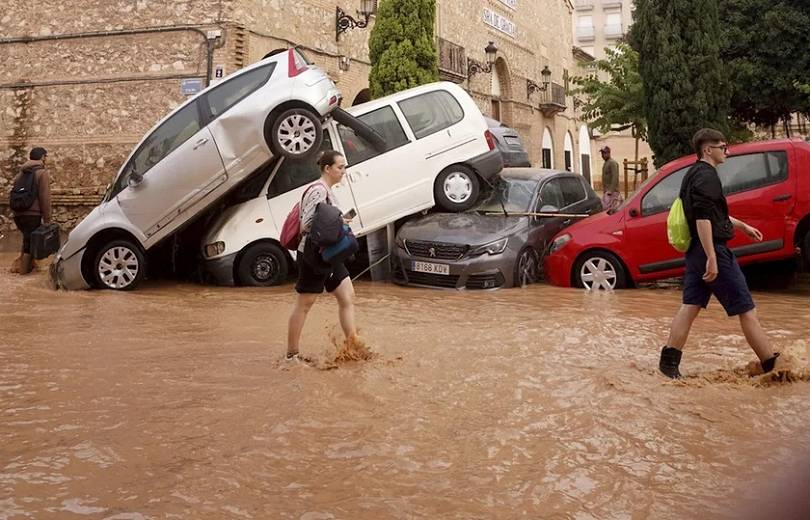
702,196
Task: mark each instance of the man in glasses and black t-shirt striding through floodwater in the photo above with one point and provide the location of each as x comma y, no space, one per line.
711,267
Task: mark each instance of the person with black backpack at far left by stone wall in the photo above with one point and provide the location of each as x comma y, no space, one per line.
30,201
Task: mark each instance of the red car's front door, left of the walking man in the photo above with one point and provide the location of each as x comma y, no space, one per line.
646,228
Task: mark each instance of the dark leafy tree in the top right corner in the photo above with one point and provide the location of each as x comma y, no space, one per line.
766,46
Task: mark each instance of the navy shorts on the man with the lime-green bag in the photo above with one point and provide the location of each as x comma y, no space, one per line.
730,287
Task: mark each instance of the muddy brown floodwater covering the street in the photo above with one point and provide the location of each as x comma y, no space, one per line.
172,402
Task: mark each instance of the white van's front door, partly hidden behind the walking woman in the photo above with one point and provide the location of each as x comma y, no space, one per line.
290,179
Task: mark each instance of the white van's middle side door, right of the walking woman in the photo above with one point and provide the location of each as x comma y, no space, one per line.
383,184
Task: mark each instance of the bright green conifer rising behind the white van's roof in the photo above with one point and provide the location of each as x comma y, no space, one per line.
402,46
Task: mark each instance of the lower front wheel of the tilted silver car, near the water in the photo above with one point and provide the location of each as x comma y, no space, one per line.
119,265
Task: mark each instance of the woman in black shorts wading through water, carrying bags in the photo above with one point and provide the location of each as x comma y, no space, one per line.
315,275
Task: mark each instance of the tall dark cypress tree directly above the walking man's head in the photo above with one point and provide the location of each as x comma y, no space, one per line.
685,85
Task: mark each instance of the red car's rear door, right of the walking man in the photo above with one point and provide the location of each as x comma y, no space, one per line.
760,193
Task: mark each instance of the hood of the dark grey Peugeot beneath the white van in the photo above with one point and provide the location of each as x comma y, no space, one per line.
461,228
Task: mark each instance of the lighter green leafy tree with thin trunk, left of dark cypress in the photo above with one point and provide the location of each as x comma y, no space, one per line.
617,103
